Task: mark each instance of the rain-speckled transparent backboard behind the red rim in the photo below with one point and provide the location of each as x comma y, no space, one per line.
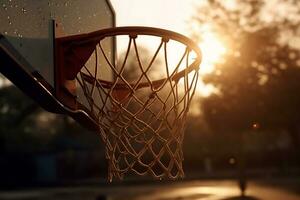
28,29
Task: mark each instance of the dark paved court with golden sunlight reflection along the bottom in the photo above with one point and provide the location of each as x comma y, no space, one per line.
189,190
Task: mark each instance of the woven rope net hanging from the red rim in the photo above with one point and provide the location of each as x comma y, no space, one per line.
141,121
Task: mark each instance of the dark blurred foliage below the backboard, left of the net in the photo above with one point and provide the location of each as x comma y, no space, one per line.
26,127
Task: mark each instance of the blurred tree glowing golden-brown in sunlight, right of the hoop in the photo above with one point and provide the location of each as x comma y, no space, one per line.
257,82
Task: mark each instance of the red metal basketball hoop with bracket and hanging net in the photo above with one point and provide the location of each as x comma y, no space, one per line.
141,121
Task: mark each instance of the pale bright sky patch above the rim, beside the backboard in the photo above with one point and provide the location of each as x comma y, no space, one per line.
167,14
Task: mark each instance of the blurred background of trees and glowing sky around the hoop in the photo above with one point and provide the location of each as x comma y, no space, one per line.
244,123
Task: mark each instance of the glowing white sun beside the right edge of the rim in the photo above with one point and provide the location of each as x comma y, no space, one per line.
213,51
